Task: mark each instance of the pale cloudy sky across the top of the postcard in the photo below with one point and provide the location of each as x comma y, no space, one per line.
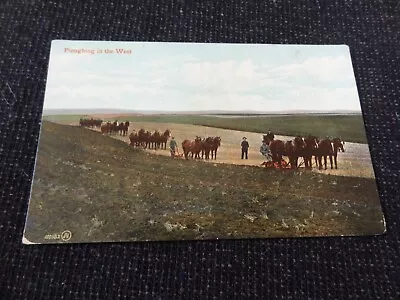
189,77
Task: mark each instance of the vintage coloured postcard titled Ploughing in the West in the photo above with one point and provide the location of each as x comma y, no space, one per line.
146,141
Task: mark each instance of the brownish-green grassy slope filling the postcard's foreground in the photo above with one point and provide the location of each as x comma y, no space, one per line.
101,189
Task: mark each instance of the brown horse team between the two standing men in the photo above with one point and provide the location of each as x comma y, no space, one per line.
205,146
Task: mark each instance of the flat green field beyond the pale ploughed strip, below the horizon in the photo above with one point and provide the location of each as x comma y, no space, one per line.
348,127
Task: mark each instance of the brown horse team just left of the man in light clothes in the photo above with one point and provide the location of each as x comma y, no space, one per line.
150,140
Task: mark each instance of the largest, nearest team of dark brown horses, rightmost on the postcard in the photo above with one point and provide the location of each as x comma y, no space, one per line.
307,148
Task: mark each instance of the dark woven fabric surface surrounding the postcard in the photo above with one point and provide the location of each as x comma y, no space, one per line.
312,268
